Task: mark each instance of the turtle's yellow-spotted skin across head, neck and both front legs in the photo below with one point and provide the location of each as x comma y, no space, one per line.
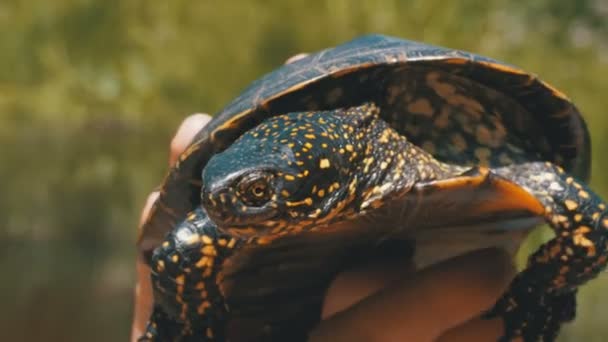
316,169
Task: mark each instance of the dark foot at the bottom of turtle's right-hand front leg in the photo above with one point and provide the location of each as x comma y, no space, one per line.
532,314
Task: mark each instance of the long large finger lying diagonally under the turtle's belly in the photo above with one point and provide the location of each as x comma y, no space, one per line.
421,308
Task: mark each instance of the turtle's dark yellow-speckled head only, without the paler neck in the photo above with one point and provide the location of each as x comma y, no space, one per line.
290,170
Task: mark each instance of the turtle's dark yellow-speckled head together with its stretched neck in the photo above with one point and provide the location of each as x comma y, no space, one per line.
322,166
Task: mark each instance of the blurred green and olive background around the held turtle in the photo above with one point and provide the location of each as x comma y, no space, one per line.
91,92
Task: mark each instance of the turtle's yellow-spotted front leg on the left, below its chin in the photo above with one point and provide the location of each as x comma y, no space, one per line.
185,280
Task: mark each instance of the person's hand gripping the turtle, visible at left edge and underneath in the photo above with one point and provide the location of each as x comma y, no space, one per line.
383,300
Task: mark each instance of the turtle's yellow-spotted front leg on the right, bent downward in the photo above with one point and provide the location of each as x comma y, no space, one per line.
542,297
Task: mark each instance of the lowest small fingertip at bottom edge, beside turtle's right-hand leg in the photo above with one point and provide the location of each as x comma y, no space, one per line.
477,329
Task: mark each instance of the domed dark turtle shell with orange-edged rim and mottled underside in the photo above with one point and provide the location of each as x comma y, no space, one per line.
411,82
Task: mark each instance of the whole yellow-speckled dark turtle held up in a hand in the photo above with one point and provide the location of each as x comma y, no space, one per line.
376,142
